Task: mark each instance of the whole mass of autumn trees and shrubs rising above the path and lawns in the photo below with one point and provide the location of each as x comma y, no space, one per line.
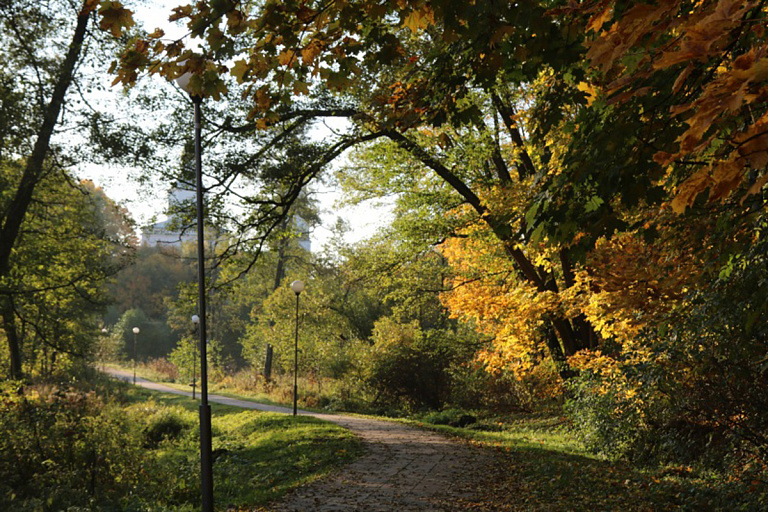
578,224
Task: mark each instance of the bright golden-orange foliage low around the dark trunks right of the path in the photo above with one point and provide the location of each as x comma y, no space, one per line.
626,284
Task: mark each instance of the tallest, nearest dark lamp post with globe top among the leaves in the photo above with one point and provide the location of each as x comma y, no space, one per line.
206,459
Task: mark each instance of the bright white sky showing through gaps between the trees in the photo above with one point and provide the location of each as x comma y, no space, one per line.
148,202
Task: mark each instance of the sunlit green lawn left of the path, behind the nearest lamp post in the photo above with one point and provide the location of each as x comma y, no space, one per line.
258,456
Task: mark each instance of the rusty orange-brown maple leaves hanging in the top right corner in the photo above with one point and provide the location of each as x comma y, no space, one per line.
718,50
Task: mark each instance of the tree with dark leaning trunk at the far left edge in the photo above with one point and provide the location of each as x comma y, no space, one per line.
43,48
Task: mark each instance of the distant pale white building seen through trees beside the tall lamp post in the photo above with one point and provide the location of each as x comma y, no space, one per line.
170,232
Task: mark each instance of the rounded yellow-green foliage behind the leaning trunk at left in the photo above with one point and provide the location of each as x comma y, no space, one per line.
72,241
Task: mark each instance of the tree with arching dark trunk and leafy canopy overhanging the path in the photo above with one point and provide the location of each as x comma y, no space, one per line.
395,69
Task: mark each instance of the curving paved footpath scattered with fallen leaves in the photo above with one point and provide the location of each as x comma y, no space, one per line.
403,468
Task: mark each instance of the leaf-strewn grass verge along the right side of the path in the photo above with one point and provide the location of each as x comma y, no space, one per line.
543,467
